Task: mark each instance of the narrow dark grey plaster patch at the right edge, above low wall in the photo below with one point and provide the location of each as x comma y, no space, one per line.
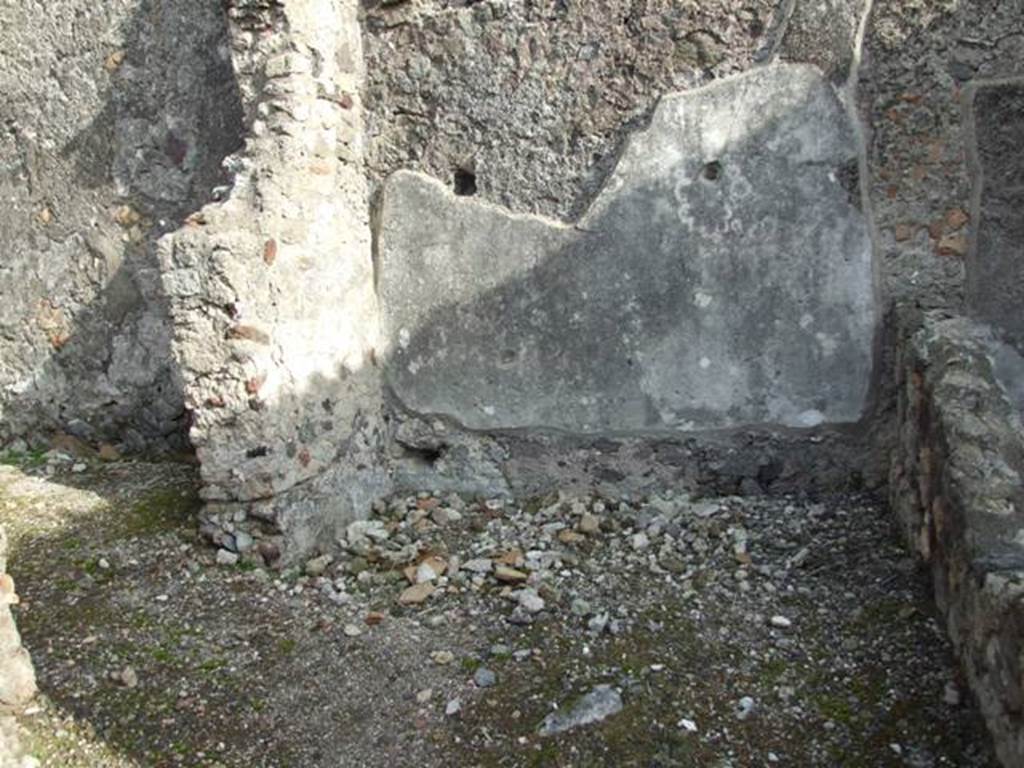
996,267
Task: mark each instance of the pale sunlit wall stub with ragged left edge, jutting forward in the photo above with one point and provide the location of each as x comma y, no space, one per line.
273,292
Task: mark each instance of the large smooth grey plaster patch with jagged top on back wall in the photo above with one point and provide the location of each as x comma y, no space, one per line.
722,278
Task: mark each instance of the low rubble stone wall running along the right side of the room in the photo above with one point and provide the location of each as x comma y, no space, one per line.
957,487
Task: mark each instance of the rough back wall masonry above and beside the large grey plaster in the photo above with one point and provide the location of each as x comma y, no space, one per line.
527,105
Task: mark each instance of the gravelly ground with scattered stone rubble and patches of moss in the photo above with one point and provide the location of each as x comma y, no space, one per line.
447,631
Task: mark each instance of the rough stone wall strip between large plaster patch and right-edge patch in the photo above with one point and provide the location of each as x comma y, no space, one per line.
919,58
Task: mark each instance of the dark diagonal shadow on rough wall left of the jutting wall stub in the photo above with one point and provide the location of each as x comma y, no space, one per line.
150,158
